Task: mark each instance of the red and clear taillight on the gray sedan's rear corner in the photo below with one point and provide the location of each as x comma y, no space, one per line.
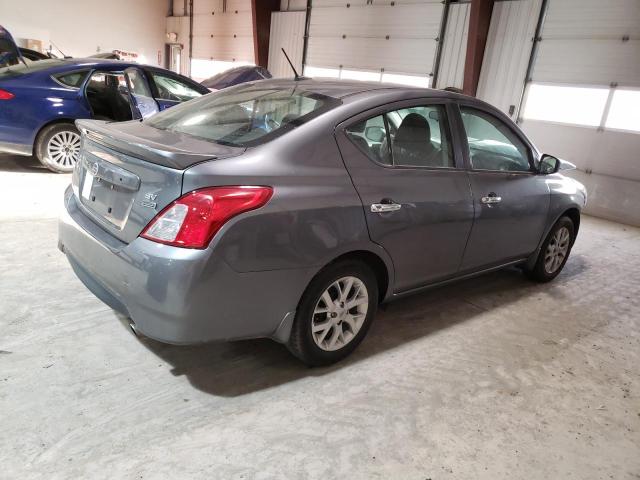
193,219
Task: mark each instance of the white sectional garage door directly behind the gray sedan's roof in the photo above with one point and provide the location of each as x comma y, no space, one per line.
371,39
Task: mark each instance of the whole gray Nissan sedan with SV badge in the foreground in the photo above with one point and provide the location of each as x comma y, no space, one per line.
291,209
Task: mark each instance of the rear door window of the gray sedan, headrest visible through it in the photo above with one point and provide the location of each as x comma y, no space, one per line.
410,137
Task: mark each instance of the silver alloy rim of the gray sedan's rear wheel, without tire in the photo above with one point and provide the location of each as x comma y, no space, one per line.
339,313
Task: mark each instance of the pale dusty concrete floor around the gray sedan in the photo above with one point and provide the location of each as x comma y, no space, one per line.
491,378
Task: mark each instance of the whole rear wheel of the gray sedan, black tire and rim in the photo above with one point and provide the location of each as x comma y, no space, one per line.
334,314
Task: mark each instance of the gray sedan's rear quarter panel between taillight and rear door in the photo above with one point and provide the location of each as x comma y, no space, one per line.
314,216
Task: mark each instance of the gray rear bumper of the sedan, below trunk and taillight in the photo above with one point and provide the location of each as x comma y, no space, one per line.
178,295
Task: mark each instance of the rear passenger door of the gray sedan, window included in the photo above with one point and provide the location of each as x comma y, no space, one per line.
415,194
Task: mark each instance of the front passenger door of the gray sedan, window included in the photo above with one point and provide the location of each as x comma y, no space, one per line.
511,200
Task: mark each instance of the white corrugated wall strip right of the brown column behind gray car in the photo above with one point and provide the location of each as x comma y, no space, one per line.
509,44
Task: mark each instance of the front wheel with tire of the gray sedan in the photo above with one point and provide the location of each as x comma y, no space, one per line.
554,252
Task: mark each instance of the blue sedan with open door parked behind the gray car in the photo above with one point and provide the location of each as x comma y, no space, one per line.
40,101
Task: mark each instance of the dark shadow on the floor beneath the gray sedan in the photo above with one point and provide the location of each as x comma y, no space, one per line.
238,368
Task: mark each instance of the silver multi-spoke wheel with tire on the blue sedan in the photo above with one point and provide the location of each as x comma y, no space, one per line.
58,147
